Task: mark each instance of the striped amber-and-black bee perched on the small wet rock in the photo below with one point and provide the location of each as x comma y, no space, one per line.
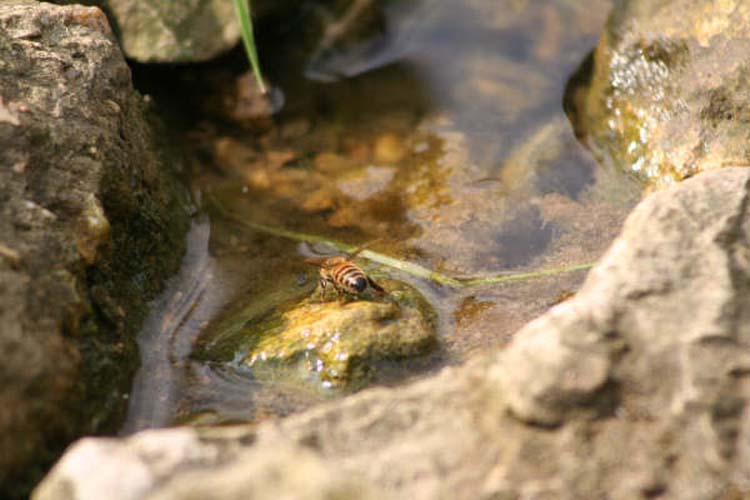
343,275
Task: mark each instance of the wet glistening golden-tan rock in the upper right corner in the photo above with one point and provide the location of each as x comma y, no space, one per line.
667,96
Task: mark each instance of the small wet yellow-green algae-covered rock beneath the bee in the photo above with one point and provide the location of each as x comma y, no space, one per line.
331,344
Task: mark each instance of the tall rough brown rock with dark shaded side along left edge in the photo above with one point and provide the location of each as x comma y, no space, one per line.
90,225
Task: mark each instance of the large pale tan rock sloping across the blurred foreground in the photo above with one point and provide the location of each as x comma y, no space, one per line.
638,387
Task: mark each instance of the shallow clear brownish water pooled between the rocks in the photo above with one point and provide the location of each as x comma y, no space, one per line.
446,141
